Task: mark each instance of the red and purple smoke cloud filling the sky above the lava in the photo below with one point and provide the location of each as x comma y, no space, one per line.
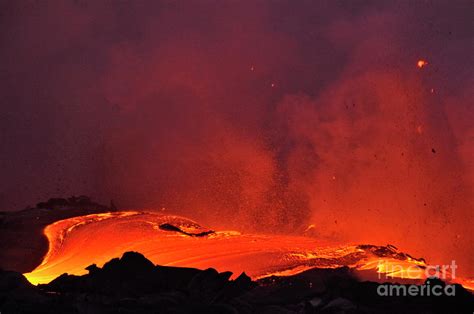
263,116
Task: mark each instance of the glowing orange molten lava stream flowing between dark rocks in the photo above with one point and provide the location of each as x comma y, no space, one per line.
169,240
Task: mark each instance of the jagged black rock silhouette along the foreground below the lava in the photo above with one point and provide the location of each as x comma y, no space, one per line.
132,284
